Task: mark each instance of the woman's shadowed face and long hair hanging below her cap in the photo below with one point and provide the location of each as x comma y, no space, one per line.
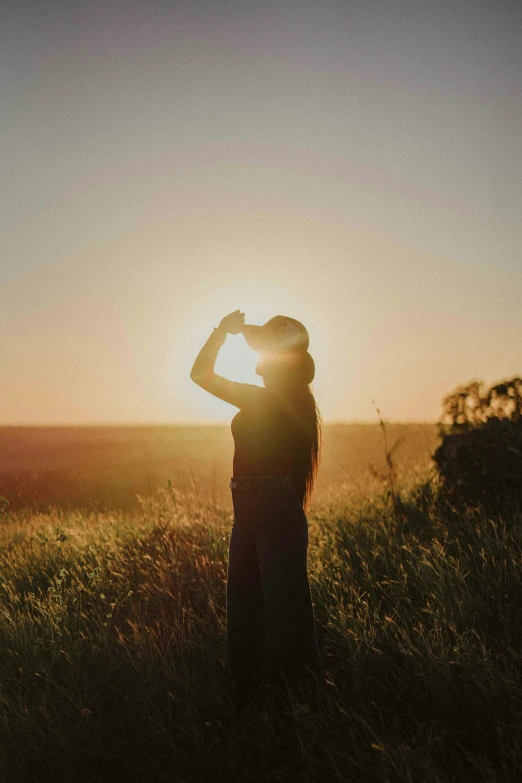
292,375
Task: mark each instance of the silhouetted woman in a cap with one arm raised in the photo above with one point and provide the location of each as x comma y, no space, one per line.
270,622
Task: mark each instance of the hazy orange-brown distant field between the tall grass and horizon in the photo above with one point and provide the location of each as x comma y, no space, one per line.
107,467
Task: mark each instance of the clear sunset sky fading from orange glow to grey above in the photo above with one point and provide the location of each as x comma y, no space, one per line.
355,165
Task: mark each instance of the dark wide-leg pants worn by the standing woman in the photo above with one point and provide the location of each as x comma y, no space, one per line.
270,621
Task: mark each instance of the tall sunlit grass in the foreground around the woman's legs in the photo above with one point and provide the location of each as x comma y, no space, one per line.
113,661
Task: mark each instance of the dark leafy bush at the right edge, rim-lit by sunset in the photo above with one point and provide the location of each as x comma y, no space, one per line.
480,456
